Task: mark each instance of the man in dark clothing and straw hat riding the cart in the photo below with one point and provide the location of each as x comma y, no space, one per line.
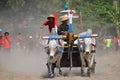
63,28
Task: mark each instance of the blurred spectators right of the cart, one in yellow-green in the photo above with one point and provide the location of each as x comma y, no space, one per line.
109,43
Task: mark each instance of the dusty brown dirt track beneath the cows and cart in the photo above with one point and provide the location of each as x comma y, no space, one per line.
32,67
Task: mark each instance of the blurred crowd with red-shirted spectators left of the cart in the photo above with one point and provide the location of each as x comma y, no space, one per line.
19,43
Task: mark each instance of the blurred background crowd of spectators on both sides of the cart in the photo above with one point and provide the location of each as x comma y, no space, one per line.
31,43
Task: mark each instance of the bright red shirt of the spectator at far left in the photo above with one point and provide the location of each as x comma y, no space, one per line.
6,41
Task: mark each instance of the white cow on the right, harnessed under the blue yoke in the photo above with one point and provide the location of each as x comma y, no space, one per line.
88,54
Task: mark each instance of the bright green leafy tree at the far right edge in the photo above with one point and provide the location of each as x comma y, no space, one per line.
113,14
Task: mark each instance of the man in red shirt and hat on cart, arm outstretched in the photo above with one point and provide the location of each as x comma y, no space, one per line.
50,22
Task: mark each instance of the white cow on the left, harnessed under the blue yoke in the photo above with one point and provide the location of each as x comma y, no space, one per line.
54,50
